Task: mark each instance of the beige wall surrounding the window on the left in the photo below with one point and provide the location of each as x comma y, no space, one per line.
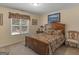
5,37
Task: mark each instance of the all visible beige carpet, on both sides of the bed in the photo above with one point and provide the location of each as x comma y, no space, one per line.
20,49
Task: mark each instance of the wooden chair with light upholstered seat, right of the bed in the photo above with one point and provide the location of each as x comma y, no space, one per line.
72,39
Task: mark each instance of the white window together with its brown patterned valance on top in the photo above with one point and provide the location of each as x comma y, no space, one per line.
19,23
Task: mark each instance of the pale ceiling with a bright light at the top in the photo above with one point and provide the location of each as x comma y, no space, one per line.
43,8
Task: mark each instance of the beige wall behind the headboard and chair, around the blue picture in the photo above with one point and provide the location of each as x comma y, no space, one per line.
70,17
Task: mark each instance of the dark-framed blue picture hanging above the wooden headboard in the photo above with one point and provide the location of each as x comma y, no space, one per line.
54,18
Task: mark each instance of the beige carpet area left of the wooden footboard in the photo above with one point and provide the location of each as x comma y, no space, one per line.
18,49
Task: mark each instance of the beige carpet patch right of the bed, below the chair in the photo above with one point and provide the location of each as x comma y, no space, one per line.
65,50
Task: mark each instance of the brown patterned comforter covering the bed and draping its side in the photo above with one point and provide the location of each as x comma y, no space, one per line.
54,41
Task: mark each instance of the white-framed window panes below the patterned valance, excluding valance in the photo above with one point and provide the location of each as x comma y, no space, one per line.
19,26
